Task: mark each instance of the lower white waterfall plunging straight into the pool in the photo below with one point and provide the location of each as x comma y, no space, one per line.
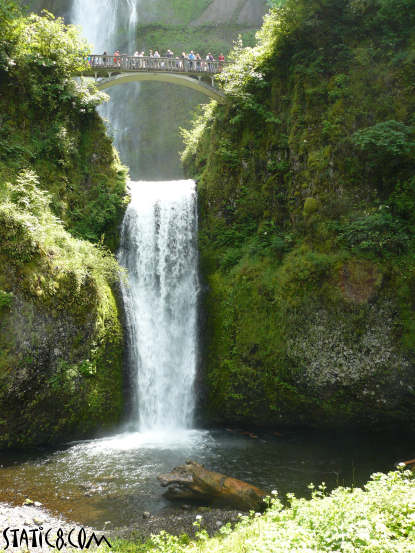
159,250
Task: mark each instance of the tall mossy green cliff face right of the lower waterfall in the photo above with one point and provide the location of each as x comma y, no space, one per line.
306,191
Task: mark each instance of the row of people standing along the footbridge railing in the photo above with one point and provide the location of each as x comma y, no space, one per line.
153,60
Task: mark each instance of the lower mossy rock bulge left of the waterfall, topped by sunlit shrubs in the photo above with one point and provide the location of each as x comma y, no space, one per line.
63,286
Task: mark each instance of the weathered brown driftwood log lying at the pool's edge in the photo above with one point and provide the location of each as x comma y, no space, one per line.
192,481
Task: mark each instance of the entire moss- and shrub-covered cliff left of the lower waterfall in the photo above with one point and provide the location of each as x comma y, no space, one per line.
61,183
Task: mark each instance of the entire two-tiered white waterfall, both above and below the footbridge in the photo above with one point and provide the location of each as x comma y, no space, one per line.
158,249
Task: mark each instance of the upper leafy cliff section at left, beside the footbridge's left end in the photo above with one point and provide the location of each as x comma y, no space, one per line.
49,123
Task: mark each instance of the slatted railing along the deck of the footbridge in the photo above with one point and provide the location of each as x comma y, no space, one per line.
147,63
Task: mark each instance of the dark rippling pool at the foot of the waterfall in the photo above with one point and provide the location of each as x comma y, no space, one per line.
115,478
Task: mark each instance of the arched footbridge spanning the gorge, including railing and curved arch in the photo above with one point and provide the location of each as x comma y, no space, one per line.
199,75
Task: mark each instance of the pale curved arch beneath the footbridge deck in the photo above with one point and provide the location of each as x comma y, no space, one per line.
172,78
